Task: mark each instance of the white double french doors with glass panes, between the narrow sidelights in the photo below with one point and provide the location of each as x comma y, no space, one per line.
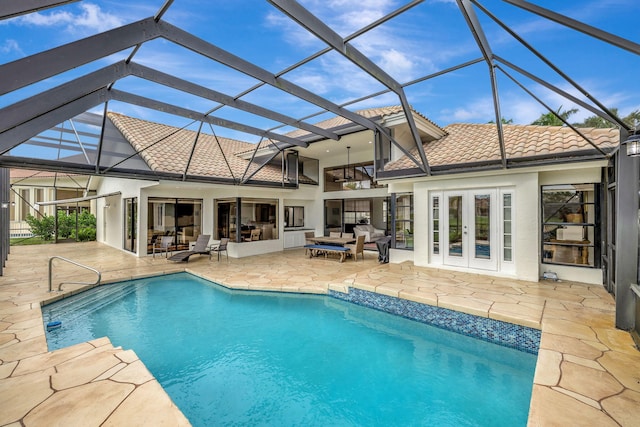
470,222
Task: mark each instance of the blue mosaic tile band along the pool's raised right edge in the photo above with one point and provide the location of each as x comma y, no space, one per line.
495,331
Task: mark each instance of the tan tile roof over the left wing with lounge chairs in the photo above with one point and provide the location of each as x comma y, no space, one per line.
167,149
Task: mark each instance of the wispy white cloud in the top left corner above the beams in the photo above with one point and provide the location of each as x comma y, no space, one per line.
90,18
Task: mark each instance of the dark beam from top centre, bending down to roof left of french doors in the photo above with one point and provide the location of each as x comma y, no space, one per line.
318,28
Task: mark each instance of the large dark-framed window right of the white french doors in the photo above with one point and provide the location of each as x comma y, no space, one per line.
570,225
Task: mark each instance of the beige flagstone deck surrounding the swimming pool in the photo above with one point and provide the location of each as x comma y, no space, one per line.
588,372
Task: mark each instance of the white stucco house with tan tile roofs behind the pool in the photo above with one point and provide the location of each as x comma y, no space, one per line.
543,213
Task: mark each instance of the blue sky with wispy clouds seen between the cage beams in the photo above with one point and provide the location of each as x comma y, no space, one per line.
430,37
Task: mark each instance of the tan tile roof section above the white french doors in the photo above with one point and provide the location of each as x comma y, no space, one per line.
474,143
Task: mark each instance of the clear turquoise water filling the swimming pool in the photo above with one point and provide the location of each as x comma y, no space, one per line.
255,358
